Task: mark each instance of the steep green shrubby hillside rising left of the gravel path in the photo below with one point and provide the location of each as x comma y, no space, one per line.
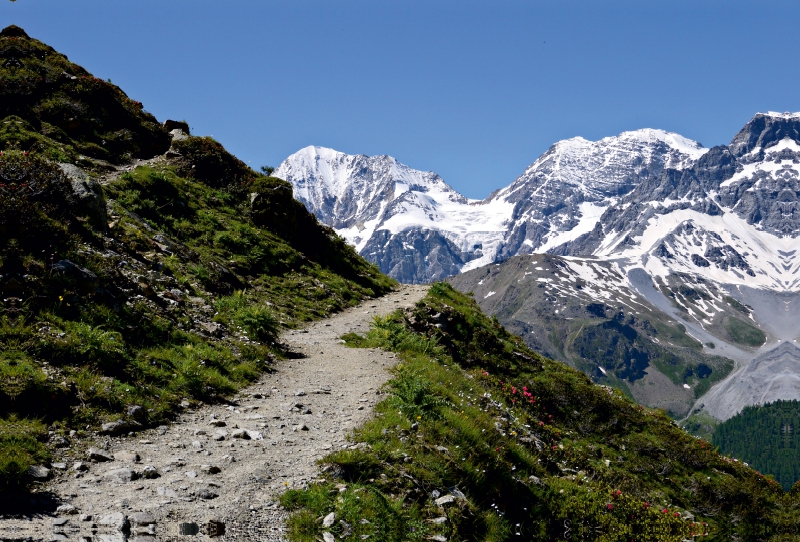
167,284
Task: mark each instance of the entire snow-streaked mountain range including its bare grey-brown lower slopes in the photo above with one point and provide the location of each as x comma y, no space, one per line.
671,268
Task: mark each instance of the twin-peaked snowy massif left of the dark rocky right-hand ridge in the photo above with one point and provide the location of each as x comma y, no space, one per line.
418,229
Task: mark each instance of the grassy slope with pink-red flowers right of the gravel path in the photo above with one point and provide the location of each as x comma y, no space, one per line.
480,438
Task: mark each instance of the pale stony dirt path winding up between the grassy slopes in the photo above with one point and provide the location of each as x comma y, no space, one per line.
223,466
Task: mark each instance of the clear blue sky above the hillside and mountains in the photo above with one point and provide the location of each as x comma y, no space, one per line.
475,91
